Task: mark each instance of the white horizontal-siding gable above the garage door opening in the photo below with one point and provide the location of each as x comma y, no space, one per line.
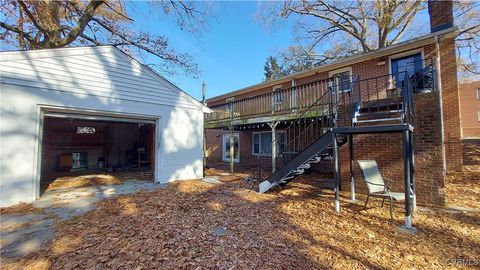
99,71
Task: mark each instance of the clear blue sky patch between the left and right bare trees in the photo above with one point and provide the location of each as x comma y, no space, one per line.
230,53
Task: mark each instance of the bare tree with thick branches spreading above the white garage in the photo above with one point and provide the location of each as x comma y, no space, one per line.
37,24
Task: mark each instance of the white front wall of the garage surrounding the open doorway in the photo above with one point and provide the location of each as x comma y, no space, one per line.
99,79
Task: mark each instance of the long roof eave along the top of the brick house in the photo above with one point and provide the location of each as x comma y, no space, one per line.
406,45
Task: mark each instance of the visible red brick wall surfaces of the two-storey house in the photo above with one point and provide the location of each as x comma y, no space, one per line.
387,148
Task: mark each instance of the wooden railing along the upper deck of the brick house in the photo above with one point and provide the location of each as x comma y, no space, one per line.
295,99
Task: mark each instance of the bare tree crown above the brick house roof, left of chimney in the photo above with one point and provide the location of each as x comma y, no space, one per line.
372,24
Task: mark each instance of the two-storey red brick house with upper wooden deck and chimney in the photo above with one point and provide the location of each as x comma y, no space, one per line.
256,123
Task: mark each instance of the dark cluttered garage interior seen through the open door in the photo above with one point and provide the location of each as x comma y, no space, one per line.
84,152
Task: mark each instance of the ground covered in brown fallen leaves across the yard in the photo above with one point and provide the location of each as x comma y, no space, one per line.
198,225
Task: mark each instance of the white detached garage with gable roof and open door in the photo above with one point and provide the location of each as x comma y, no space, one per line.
98,107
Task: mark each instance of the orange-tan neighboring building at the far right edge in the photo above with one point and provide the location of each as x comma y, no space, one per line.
470,109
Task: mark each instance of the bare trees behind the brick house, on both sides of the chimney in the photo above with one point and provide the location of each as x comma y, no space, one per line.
329,30
